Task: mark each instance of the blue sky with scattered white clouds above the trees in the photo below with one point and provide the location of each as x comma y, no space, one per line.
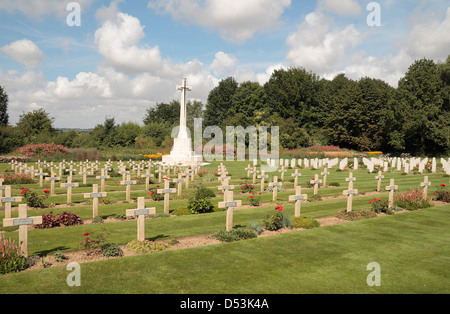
129,55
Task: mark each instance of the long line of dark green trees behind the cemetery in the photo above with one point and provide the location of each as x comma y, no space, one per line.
365,115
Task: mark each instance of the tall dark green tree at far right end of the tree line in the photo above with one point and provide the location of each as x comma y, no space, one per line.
421,120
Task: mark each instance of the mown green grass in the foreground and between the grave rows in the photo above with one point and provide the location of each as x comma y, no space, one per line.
411,248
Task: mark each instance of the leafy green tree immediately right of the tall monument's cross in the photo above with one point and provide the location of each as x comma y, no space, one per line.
220,102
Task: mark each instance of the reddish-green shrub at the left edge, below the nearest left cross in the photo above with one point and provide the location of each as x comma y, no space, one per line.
10,259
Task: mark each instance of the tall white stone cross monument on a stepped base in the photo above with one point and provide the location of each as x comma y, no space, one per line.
182,149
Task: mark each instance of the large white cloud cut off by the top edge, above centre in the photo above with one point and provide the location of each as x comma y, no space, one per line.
236,21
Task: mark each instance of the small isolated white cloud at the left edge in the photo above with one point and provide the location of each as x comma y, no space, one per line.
24,51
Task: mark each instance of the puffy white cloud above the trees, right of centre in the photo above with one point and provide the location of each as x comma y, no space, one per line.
317,47
